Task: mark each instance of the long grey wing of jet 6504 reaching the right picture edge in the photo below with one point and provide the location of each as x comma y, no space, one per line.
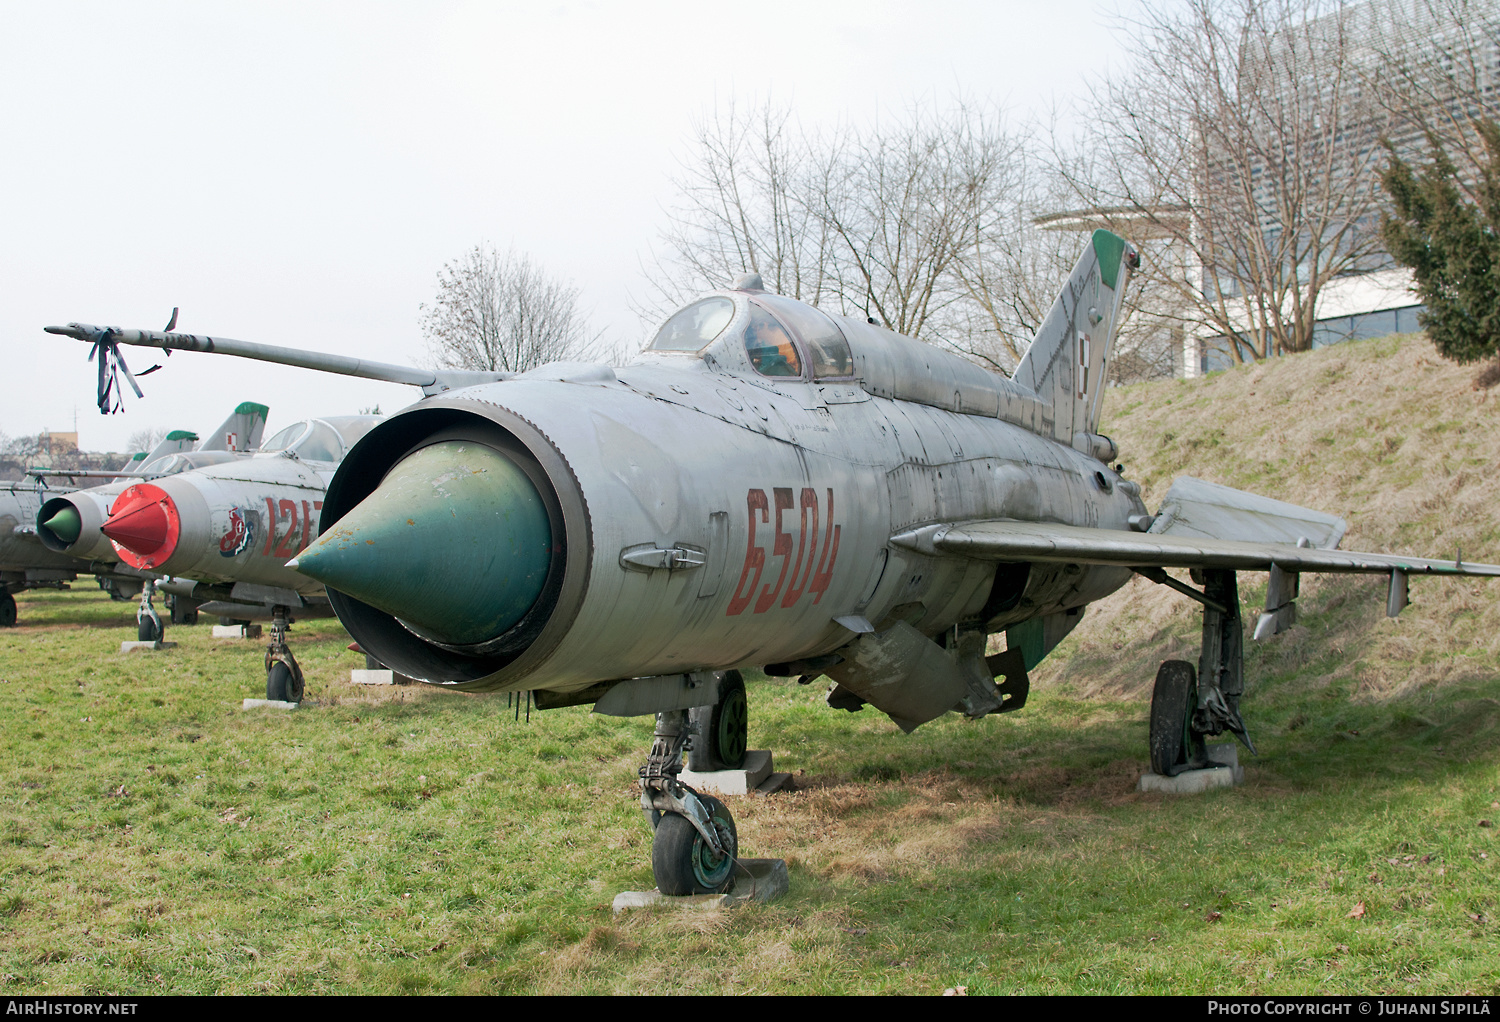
1010,541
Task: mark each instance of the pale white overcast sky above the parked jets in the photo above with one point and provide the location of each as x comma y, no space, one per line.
299,173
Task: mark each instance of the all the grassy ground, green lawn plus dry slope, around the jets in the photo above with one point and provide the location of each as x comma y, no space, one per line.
158,838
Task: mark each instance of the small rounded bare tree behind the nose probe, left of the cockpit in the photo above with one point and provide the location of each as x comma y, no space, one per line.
503,313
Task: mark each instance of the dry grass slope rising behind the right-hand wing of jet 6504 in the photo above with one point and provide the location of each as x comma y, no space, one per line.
1382,433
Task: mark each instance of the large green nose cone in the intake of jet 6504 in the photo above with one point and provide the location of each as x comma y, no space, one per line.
455,543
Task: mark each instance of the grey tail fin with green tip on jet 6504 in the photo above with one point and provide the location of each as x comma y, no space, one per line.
1070,355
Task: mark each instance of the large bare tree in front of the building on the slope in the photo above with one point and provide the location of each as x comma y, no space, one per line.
1241,134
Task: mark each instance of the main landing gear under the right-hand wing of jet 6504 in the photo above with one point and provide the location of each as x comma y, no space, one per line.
1189,706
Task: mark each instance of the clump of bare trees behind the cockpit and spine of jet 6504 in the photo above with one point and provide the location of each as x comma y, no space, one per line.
905,221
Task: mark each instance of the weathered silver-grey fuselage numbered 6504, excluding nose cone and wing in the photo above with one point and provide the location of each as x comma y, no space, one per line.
716,517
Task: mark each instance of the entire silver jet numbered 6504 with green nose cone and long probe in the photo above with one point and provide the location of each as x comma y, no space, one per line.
769,485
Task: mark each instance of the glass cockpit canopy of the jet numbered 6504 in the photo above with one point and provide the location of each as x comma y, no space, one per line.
781,337
